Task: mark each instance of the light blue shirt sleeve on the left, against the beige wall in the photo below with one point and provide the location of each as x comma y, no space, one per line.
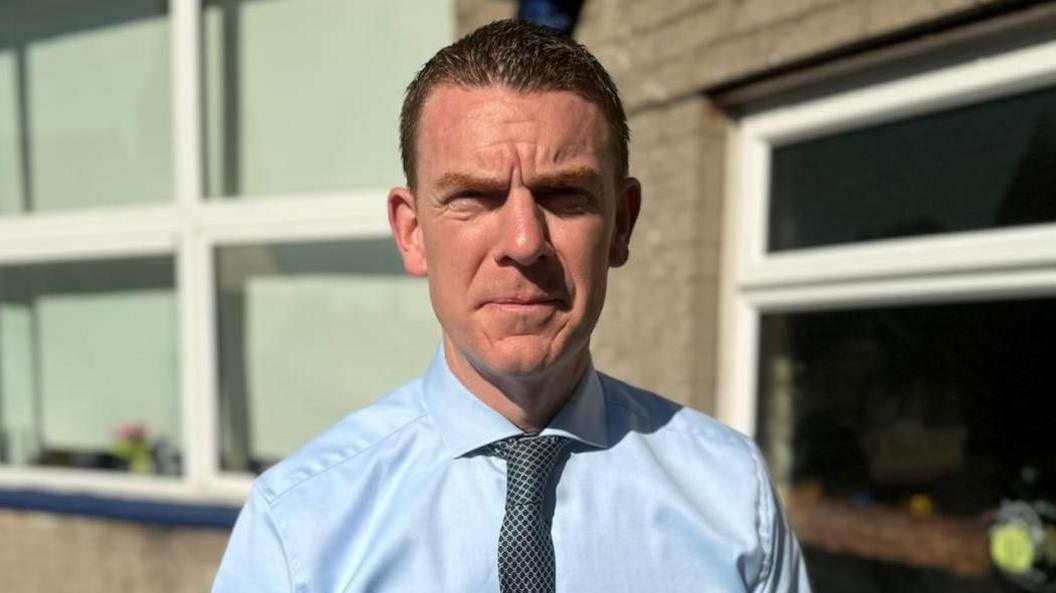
256,559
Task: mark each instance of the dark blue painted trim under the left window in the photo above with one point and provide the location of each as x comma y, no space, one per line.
119,509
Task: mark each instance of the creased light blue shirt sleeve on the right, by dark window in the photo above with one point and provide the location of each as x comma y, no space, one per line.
784,570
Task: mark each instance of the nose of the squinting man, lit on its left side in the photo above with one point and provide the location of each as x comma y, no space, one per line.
525,238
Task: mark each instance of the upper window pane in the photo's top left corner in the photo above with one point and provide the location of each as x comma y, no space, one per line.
85,117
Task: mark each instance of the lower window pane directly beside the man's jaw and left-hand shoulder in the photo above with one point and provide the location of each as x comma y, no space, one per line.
310,333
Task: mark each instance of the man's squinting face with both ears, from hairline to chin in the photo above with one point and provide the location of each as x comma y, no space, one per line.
517,218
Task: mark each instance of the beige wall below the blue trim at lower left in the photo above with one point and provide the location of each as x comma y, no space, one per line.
43,553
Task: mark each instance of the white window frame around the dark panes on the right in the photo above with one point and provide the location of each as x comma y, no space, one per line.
1006,263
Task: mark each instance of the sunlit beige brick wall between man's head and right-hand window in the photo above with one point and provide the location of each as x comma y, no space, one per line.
657,330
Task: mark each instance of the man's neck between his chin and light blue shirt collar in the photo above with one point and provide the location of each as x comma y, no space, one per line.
529,401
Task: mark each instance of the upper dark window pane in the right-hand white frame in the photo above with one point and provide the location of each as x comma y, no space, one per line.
985,166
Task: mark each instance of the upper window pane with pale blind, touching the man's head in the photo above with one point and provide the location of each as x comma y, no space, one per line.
305,95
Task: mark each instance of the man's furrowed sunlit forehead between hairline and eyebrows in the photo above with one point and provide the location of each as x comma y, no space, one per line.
494,126
